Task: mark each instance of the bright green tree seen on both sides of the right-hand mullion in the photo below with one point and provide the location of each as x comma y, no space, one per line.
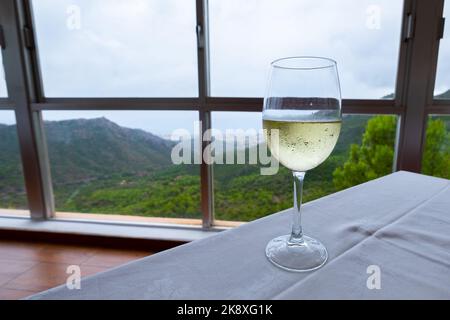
373,158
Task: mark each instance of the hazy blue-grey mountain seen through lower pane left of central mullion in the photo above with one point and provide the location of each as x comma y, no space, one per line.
84,149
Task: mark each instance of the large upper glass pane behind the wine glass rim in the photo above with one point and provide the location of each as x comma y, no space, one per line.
362,36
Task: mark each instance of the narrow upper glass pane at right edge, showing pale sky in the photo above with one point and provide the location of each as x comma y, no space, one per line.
442,86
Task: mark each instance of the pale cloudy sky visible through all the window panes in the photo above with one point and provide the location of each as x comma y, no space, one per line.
147,48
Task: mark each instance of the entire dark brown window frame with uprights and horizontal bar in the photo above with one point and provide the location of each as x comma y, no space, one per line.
419,27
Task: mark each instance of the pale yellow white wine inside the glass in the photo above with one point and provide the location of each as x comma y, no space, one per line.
303,145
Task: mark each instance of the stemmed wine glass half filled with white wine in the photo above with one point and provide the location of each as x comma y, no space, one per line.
302,120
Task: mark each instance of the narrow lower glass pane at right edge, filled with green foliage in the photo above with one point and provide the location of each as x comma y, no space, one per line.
436,155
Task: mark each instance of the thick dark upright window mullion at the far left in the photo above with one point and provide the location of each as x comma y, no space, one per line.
21,74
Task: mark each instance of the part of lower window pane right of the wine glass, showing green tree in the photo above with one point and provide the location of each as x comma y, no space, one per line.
365,151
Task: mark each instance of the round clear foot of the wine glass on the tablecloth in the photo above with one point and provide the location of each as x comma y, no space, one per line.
308,256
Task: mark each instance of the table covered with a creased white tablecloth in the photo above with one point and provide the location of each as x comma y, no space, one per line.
399,223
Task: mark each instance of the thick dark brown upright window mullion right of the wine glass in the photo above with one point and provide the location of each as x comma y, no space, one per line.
416,83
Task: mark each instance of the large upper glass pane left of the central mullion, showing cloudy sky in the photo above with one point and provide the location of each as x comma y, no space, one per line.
99,48
